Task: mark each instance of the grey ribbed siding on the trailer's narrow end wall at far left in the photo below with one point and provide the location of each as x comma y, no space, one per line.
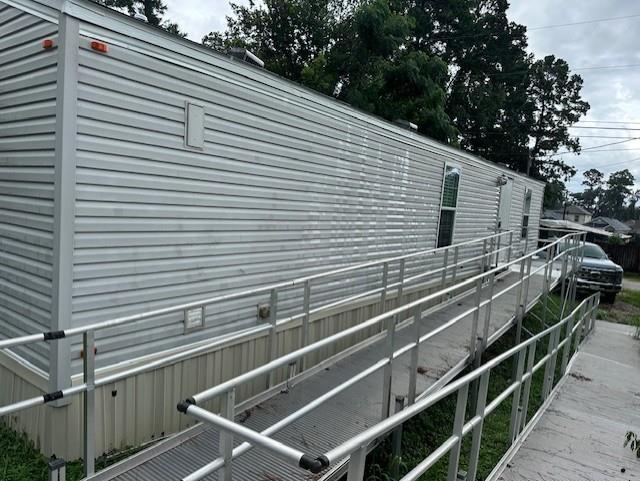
27,132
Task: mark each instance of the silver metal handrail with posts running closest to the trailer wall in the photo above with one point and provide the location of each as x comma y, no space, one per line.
88,331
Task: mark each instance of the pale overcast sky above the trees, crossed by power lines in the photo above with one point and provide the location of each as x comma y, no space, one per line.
614,94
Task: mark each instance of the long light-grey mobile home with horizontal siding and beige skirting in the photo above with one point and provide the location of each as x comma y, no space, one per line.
139,170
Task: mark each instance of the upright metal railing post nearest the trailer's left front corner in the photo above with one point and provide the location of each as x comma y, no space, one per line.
89,371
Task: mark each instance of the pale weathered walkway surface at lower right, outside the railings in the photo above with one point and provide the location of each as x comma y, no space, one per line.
580,435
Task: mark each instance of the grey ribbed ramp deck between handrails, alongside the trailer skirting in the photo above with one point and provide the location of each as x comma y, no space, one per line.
441,358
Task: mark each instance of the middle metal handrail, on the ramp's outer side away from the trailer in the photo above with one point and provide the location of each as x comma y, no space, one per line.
229,387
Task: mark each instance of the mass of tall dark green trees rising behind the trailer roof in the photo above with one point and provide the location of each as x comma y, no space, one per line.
459,69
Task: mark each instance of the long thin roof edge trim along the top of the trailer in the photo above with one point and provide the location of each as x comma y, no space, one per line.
107,18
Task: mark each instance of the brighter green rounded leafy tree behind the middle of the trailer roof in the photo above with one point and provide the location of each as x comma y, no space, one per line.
376,73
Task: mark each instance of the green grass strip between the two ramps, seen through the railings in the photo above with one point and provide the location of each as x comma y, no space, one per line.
424,433
